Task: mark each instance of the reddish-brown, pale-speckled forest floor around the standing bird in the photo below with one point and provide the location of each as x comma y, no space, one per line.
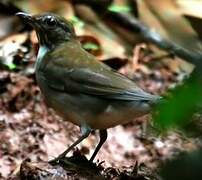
31,131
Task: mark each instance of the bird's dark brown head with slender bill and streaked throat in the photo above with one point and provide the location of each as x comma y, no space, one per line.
50,28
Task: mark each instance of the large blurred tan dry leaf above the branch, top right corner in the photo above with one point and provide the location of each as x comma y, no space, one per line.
170,23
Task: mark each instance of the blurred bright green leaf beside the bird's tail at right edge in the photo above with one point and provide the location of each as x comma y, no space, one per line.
177,110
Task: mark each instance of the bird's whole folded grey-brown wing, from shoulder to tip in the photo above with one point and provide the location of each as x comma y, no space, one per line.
110,85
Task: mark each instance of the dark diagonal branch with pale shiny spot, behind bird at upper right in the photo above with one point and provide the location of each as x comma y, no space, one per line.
154,37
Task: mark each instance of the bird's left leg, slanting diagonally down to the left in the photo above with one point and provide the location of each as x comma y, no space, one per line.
85,133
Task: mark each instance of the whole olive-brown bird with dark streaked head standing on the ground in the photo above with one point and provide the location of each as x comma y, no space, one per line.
81,89
